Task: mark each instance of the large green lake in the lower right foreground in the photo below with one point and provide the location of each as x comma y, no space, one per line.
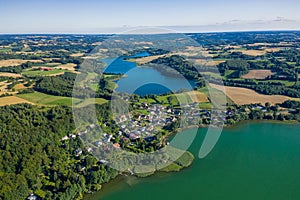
251,161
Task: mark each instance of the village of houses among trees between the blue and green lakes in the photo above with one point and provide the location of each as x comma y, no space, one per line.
155,118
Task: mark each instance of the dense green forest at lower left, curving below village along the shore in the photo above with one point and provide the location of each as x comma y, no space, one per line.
34,157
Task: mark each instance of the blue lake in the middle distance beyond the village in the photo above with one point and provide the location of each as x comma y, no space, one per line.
144,80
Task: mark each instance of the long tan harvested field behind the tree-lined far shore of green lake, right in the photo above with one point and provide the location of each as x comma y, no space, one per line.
242,96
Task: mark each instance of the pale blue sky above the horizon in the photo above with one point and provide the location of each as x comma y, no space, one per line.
113,16
